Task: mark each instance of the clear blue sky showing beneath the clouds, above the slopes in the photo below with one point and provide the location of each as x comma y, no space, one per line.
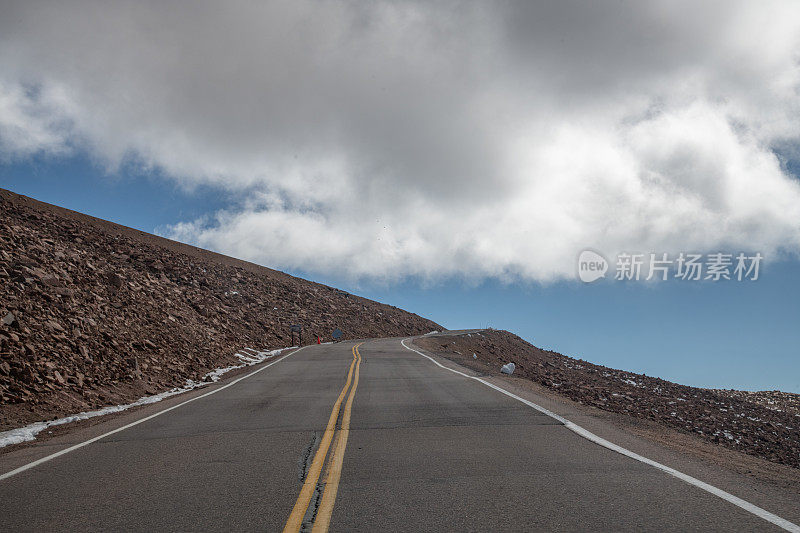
741,335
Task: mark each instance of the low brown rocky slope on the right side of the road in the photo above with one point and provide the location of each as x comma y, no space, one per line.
764,424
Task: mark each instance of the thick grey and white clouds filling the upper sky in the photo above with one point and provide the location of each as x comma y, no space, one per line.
485,142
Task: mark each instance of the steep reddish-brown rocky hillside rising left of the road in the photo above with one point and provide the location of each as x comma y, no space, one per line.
93,313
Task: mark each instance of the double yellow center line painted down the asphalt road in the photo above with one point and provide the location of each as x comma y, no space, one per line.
323,517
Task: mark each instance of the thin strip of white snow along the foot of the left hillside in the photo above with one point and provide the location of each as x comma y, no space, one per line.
29,432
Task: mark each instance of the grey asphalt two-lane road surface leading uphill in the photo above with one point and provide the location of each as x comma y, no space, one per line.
426,450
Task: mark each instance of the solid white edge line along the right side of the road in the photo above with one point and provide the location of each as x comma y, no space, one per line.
747,506
